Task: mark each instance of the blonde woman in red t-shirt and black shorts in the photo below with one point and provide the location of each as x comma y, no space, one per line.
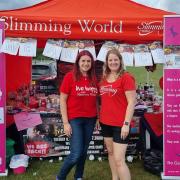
118,97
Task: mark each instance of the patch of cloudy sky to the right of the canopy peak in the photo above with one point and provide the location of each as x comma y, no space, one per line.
167,5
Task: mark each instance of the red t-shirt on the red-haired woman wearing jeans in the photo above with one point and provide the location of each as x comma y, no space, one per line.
81,100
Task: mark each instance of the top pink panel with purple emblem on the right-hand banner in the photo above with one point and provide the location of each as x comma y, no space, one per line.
172,30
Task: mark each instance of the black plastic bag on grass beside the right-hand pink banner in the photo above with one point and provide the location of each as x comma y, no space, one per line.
153,161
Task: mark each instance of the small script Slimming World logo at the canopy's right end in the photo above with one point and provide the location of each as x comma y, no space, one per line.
149,27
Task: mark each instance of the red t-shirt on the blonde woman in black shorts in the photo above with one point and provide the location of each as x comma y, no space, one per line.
113,99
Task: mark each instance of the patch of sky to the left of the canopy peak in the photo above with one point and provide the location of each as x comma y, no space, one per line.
17,4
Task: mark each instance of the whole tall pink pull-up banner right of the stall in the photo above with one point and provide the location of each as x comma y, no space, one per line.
172,97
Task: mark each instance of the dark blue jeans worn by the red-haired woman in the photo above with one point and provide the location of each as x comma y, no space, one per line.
82,130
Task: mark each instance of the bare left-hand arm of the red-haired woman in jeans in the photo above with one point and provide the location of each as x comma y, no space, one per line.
63,109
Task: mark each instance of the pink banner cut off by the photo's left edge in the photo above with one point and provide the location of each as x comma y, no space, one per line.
2,104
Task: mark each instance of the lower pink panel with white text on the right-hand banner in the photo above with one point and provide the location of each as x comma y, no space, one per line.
171,122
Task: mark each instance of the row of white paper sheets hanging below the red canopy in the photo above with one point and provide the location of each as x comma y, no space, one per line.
67,50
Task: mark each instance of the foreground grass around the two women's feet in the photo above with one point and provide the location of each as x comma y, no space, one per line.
94,170
